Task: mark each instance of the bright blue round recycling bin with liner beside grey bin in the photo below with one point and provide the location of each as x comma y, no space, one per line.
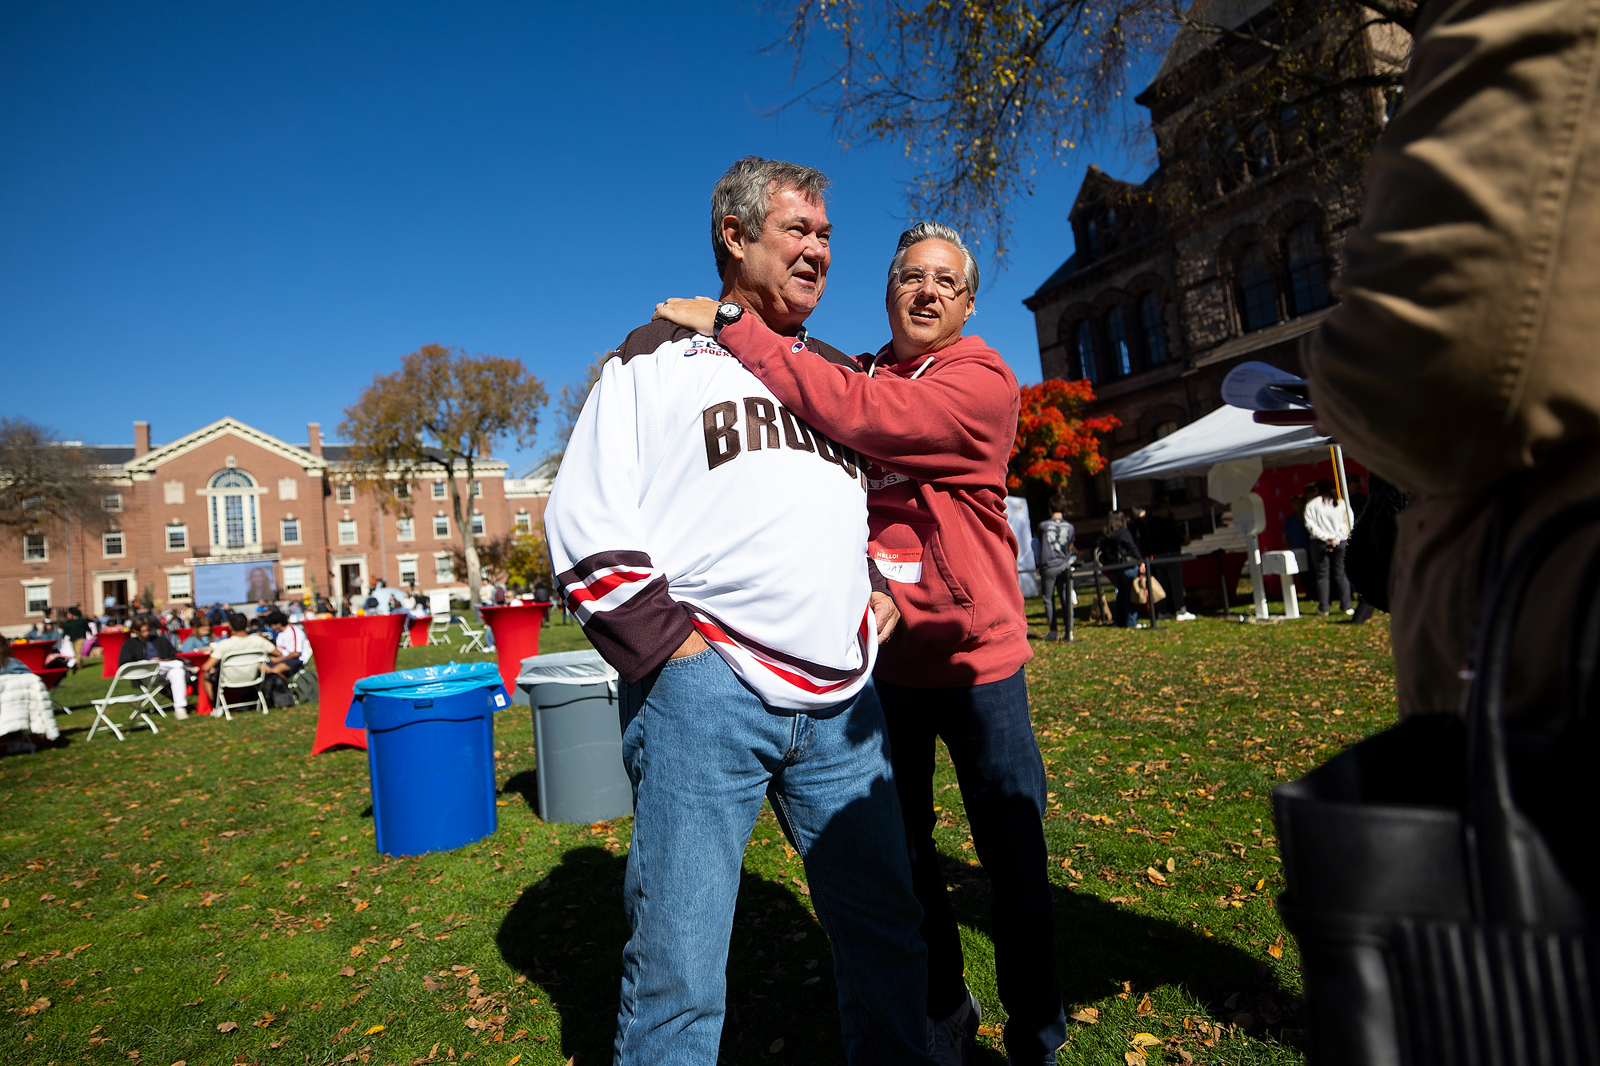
431,755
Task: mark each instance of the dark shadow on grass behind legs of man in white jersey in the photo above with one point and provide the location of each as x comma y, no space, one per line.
567,932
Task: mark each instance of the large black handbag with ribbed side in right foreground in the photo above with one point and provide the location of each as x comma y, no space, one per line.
1441,905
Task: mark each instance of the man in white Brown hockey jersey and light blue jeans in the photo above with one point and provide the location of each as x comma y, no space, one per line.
716,551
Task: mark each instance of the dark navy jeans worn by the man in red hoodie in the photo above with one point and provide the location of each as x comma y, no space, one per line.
1002,777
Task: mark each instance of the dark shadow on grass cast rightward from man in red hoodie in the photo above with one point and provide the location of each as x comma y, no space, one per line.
1102,945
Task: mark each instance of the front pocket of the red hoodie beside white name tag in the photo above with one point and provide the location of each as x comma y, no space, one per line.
935,607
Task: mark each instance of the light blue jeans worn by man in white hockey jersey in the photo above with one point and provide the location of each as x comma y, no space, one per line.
703,753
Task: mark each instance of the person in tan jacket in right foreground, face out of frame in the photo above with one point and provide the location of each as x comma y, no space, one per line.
1460,363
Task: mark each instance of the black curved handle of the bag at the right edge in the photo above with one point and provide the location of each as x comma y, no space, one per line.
1505,862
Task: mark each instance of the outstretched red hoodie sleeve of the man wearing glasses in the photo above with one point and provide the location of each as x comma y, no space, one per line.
956,423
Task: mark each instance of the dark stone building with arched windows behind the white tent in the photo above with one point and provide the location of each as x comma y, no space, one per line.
1225,254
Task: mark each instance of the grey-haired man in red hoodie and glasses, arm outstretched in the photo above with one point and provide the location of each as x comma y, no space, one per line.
938,414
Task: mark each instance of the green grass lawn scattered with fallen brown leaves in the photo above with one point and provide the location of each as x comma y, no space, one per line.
214,896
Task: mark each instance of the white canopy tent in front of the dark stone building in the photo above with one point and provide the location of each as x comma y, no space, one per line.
1230,449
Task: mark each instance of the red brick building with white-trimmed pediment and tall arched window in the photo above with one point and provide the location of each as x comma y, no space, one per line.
230,494
